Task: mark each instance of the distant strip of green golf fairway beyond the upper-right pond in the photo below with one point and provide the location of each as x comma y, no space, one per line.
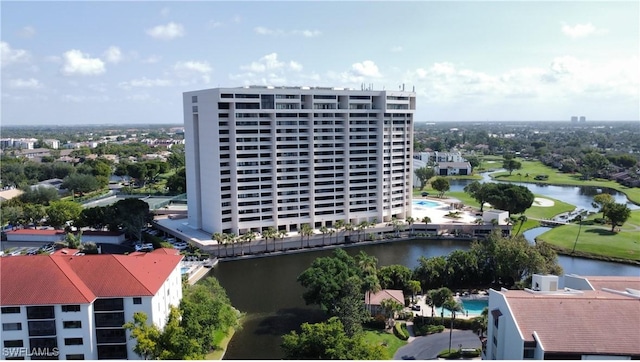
534,168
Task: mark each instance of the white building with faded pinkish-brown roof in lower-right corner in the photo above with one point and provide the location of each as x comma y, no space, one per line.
586,318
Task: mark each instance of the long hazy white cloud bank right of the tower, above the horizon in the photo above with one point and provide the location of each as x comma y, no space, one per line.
565,79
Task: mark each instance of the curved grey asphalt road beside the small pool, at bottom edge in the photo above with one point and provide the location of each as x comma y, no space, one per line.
428,347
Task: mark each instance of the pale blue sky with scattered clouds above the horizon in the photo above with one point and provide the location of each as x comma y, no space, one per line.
117,62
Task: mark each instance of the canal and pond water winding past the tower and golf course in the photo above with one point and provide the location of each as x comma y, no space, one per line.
266,290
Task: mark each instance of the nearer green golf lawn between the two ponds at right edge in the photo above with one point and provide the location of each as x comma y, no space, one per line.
598,239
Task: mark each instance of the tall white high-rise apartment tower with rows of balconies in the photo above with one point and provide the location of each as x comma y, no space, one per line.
281,157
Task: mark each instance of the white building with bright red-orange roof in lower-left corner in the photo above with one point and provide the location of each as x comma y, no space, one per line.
65,306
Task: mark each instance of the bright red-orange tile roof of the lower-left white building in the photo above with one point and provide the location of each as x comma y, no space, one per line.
65,278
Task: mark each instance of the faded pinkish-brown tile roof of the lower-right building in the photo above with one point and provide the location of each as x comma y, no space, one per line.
594,322
